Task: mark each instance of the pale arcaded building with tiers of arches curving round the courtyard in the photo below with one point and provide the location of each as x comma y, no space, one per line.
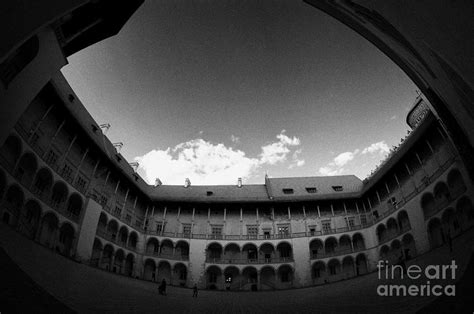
66,186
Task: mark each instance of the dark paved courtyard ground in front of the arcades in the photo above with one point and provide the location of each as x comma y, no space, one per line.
55,284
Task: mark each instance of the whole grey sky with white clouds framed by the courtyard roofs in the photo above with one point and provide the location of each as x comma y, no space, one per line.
213,90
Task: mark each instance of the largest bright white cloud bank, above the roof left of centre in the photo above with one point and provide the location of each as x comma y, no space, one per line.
204,162
